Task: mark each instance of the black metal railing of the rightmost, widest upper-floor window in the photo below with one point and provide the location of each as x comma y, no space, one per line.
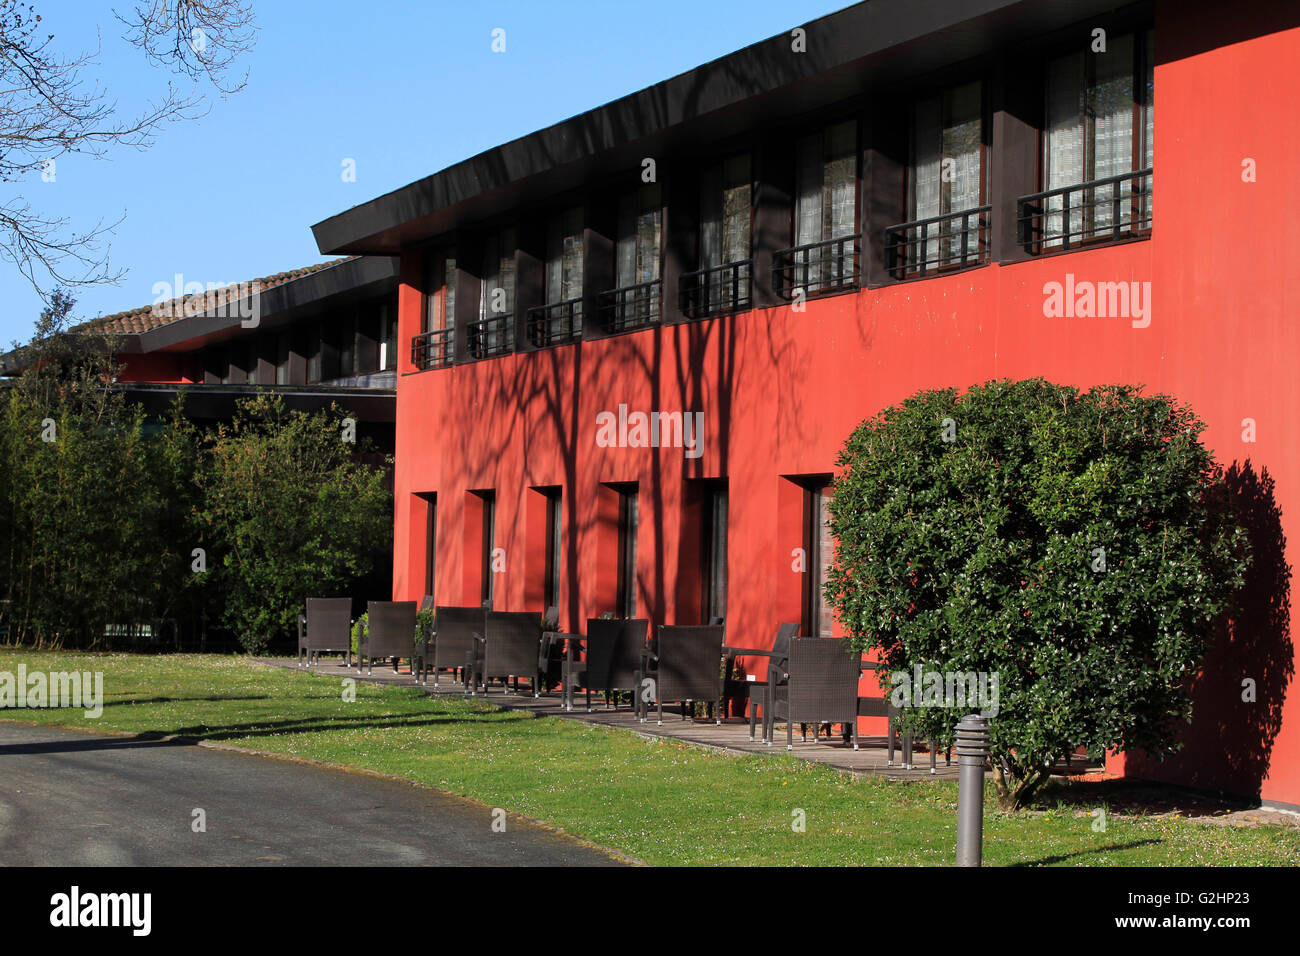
1110,210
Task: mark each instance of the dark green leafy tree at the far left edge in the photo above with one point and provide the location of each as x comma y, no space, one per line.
94,500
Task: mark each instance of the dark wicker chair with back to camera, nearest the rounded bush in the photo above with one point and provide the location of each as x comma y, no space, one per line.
820,685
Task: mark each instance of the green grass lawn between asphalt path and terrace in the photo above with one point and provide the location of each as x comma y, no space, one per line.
658,802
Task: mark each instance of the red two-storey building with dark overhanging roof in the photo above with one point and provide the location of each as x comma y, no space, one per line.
785,241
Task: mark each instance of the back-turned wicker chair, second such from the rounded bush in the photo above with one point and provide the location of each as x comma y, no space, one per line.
684,665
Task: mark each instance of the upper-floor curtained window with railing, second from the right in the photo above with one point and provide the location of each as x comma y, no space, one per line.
947,137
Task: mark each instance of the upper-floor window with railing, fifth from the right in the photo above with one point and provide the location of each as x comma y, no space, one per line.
640,226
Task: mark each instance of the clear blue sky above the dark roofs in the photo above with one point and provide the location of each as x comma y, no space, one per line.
402,88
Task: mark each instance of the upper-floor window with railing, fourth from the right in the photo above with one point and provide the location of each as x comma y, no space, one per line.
726,226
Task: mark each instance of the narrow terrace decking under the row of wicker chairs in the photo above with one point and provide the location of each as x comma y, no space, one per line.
731,737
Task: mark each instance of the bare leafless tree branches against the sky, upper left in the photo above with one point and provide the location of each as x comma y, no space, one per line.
49,110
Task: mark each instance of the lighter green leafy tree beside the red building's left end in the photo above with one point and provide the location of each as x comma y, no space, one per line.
288,512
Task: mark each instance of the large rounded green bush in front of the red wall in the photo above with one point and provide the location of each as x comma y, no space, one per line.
1076,546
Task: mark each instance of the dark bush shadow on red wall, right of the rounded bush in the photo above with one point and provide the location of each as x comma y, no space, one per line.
1229,745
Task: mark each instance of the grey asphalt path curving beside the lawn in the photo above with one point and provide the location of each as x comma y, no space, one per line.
71,799
